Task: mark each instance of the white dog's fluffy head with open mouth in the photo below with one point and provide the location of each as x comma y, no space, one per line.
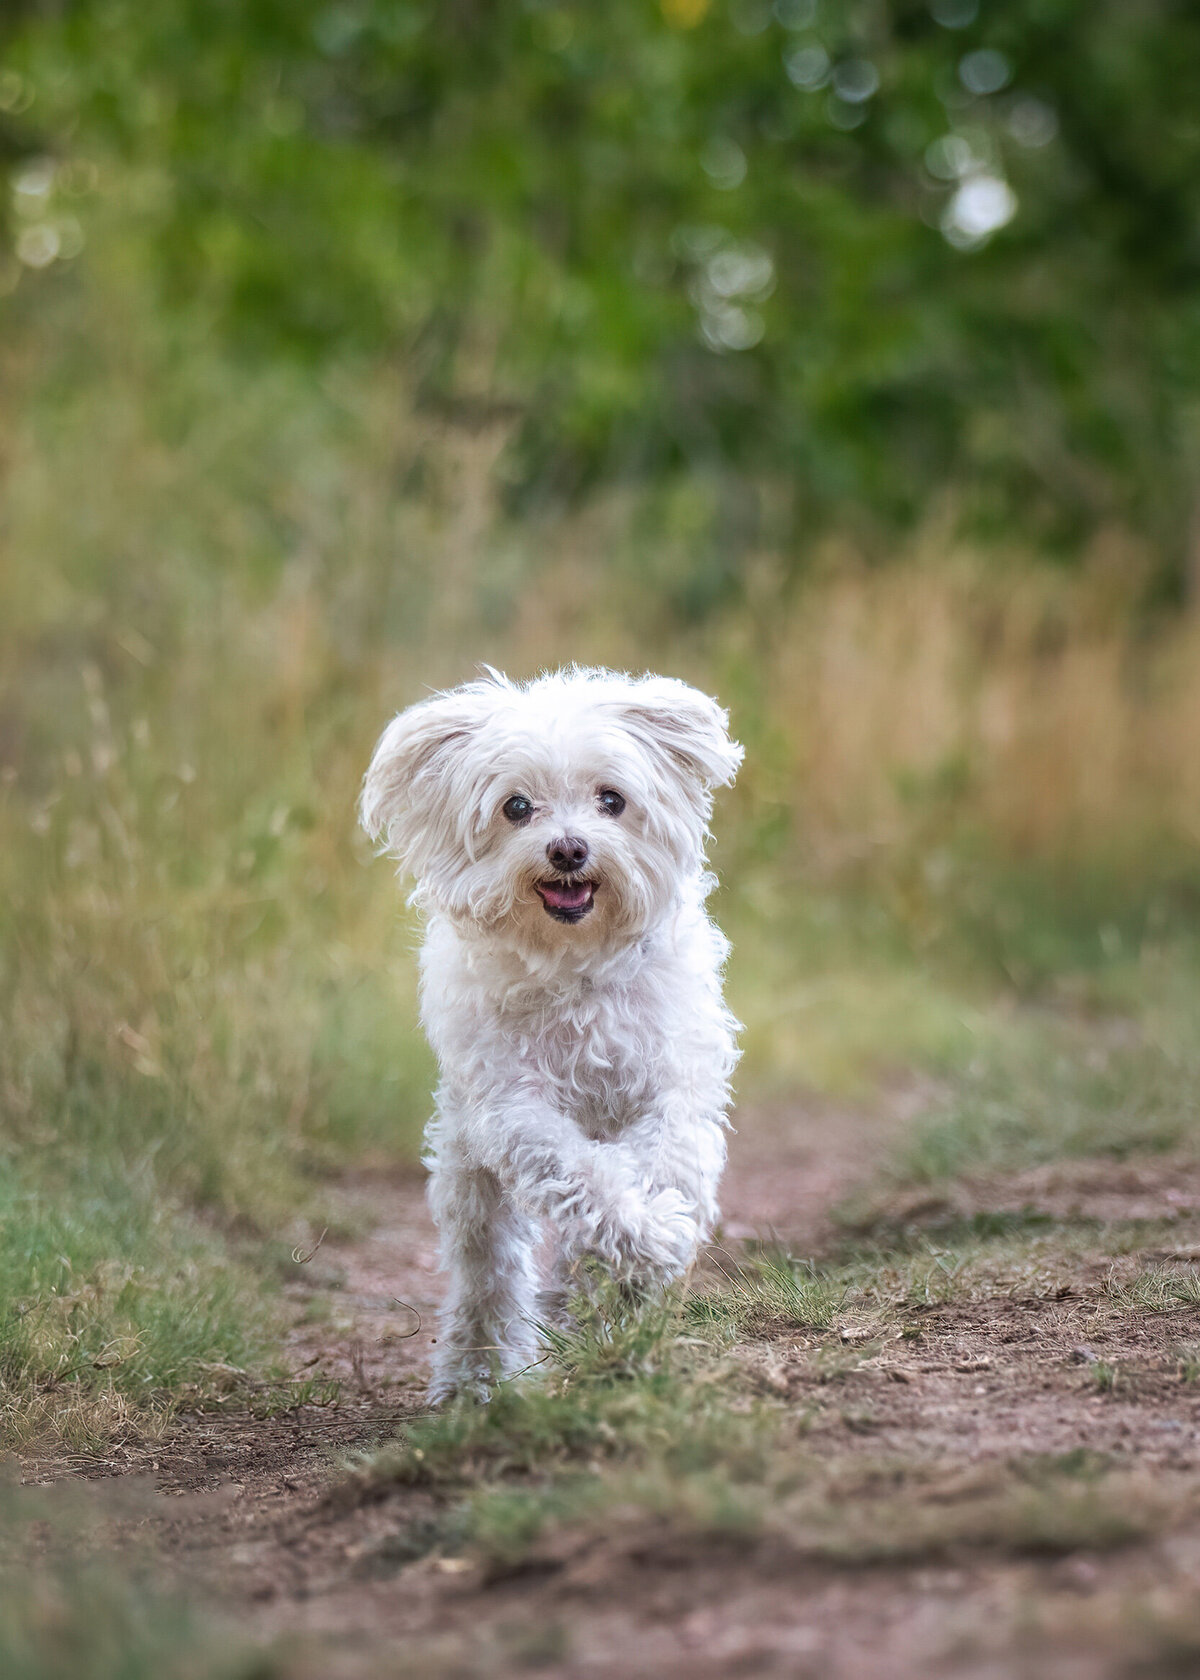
567,809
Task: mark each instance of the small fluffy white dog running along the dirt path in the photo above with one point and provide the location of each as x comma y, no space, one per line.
571,985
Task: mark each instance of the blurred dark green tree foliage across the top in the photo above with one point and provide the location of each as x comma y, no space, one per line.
831,261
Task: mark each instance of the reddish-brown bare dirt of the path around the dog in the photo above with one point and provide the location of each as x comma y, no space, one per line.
241,1503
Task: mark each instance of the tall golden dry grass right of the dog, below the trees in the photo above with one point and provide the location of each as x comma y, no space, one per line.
1008,695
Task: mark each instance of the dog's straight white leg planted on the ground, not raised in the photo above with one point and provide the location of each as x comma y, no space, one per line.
487,1328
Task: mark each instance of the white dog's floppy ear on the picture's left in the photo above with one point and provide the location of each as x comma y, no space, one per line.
409,801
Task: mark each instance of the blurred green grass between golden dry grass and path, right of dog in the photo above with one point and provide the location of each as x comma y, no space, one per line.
1076,984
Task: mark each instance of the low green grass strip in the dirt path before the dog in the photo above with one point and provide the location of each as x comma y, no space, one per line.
676,1417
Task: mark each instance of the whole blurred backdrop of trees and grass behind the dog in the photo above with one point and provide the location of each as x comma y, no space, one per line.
841,359
